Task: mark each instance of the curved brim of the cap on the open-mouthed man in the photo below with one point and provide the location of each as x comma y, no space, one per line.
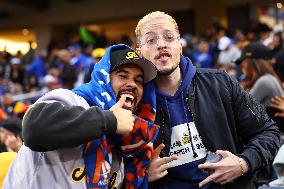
148,68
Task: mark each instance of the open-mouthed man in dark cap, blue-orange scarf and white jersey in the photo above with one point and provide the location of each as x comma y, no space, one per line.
93,135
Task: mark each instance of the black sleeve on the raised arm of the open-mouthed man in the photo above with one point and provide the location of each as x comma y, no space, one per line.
50,125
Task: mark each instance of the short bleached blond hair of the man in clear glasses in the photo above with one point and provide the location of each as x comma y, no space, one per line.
152,16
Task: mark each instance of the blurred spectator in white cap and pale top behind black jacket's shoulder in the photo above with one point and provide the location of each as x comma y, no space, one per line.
228,54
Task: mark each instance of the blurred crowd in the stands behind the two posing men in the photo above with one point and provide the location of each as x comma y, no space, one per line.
65,59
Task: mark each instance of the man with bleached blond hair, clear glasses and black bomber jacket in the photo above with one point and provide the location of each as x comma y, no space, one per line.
213,134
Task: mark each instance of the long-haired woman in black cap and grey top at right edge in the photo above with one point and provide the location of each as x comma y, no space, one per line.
259,77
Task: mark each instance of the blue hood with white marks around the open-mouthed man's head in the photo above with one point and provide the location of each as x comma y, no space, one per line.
99,92
